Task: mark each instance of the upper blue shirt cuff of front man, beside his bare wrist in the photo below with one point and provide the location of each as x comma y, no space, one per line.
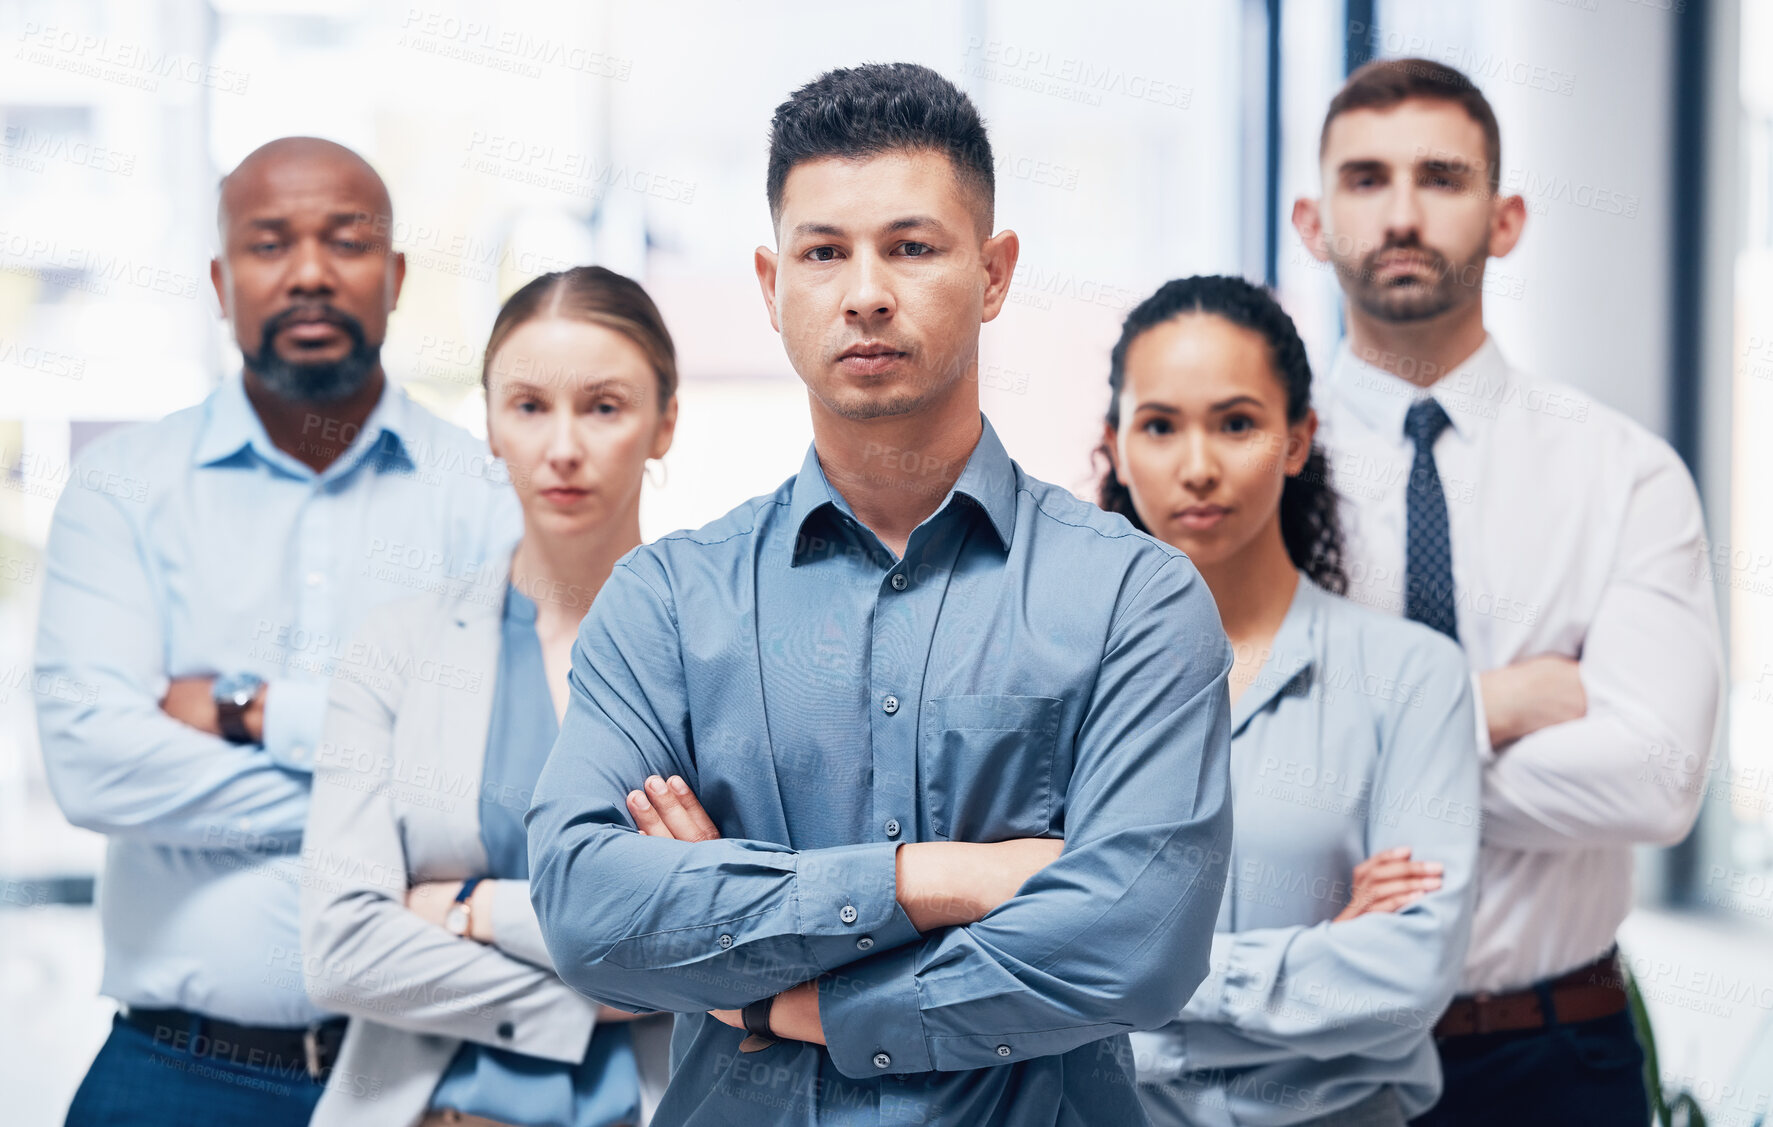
848,903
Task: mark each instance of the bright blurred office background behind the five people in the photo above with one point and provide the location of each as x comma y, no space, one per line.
1136,144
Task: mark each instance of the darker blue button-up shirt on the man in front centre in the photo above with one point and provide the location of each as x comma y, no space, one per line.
1031,667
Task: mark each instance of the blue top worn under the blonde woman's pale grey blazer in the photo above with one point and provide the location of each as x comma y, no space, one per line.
497,1084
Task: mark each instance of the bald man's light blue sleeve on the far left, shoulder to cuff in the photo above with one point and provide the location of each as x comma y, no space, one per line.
116,763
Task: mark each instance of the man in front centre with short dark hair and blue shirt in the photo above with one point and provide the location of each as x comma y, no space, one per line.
896,685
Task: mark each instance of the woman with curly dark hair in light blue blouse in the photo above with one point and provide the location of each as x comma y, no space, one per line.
1354,763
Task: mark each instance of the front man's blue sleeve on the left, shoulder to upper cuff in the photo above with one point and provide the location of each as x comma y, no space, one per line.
655,924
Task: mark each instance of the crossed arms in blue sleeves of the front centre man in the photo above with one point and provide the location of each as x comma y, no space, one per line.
1105,938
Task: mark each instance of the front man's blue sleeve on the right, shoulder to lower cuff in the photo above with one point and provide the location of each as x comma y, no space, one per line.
1116,933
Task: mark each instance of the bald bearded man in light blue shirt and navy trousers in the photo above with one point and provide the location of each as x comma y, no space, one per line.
205,577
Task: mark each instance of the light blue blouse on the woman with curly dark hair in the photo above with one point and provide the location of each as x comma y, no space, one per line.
1357,736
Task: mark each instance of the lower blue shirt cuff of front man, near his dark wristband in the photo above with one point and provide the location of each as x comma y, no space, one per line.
871,1016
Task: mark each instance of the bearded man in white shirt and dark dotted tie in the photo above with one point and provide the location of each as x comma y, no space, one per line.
1558,543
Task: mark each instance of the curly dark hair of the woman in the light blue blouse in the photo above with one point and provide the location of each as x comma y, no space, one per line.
1309,522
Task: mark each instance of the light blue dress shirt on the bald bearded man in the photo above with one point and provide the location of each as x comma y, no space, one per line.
189,548
